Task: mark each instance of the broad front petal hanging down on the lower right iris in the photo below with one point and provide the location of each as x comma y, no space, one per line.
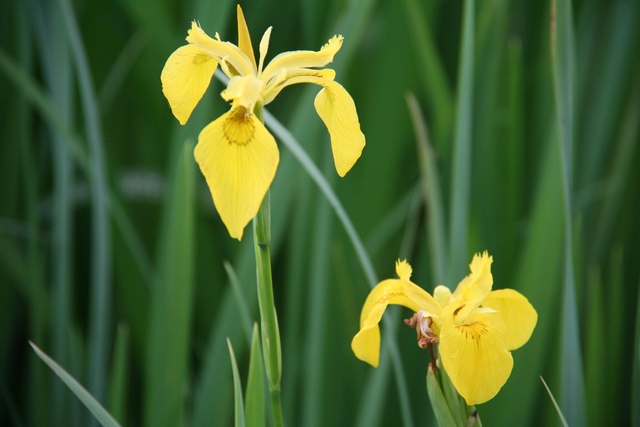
475,357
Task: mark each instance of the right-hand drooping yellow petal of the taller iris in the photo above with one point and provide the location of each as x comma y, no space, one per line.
338,112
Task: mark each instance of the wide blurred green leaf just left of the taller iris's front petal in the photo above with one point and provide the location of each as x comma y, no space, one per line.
167,362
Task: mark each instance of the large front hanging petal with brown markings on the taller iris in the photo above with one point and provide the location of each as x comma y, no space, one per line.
238,157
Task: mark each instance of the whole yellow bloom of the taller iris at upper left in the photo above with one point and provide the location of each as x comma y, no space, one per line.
236,153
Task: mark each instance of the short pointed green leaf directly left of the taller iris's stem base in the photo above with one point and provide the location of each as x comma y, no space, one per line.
255,415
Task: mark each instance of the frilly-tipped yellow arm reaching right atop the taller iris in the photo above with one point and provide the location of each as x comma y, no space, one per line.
303,58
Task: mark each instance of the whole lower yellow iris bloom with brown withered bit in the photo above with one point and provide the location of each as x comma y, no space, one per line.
475,328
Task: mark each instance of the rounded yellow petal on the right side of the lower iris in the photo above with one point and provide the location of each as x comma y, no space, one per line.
517,313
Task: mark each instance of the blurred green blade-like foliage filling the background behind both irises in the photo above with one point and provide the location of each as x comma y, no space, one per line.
111,253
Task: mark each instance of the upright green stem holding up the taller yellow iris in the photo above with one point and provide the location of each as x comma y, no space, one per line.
268,317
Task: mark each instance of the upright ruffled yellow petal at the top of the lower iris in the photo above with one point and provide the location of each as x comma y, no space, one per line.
473,288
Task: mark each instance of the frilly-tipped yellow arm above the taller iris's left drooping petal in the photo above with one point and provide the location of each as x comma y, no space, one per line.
237,62
